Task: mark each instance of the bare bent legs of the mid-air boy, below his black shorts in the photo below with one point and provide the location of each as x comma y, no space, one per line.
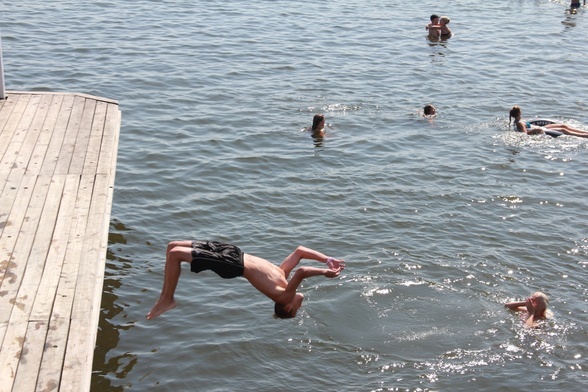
177,252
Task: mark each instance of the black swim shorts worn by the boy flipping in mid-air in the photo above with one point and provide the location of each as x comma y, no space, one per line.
224,259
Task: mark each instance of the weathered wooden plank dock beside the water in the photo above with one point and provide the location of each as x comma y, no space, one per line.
57,166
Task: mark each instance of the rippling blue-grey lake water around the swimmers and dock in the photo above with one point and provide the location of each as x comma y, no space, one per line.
440,221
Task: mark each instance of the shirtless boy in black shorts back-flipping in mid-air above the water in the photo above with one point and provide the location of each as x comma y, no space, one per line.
228,261
